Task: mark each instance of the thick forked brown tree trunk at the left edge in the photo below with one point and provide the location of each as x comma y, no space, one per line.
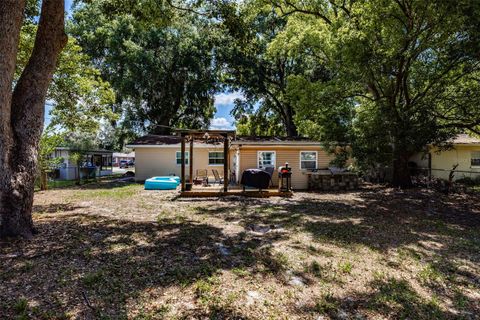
22,112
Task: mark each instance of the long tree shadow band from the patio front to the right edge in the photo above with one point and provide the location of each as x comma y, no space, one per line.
378,219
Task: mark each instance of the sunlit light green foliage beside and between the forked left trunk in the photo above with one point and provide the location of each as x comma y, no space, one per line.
80,98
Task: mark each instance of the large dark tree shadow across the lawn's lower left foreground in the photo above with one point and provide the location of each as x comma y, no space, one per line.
111,263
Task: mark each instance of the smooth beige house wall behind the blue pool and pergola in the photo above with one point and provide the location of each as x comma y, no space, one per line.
161,161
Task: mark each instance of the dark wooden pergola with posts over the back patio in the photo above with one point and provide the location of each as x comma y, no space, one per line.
215,136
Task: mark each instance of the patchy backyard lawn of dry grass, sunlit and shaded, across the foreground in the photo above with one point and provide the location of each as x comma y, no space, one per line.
116,251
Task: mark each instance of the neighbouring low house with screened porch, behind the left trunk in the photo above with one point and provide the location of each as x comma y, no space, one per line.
97,161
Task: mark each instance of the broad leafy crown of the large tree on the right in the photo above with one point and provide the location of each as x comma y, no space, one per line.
401,74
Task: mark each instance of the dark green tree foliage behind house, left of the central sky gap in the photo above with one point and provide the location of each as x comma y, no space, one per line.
161,69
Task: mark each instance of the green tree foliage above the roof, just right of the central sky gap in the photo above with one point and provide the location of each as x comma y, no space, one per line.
262,76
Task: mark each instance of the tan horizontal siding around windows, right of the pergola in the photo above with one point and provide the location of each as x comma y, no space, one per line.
290,154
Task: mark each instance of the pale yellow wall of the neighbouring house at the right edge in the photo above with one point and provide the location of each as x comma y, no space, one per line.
442,162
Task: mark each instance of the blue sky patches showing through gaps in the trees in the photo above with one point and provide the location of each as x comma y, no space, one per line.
223,102
